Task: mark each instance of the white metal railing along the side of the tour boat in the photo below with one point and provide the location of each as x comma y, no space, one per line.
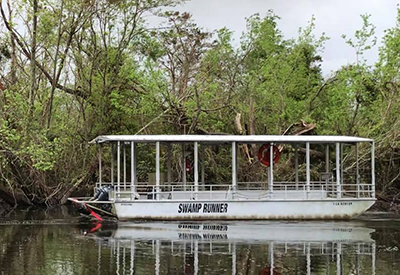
253,190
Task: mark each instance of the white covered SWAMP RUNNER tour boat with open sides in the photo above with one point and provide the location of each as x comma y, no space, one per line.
339,189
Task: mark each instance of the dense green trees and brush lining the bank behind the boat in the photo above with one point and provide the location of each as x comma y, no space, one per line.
72,70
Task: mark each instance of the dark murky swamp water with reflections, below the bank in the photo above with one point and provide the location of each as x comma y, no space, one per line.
57,242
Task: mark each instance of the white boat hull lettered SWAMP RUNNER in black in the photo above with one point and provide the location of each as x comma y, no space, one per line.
242,209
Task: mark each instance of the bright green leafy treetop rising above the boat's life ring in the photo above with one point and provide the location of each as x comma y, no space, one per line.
281,75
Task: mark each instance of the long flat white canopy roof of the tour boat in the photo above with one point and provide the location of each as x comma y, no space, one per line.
218,139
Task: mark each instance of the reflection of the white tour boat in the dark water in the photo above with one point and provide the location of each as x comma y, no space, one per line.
240,248
